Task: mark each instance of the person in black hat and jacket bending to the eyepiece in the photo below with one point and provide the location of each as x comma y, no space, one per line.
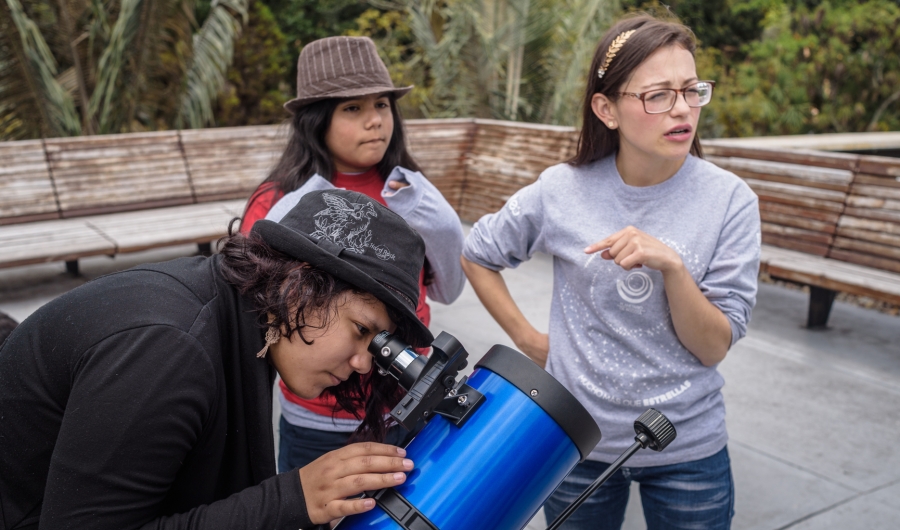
144,397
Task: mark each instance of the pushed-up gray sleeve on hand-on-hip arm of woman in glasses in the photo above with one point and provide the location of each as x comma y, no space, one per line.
508,237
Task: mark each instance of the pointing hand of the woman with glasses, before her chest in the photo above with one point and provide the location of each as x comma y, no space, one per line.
630,248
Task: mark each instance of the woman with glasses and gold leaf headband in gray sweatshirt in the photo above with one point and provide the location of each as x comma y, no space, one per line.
655,254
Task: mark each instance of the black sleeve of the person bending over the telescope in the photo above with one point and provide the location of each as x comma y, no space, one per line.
130,424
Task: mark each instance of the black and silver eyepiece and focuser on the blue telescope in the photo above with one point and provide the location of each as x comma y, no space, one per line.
430,382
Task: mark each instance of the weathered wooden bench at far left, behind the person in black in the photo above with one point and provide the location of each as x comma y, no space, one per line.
68,198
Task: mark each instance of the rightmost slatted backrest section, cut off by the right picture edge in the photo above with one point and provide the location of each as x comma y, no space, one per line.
869,230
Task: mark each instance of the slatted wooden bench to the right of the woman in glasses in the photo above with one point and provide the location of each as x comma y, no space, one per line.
828,221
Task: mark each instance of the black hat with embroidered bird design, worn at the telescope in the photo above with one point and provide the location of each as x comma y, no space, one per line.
356,239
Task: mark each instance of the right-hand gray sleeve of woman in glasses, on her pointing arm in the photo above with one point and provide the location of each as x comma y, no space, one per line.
730,282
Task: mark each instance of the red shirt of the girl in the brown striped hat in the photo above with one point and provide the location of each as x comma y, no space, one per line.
369,183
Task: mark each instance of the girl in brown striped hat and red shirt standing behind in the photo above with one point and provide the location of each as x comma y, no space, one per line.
347,132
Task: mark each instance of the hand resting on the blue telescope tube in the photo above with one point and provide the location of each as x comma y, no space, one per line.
347,472
